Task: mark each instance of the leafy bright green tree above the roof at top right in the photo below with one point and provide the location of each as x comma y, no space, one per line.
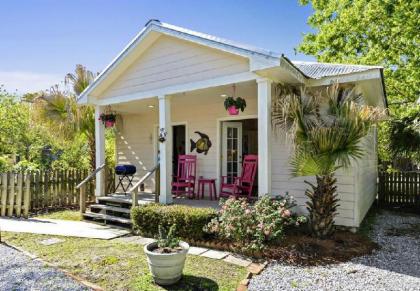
375,32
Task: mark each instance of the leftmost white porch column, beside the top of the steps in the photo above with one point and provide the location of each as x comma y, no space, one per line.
99,151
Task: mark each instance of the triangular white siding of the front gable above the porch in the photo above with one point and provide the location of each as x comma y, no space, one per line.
170,61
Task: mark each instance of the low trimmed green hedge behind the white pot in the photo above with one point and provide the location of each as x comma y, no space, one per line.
189,221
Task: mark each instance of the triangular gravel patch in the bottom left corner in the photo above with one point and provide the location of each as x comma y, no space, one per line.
19,272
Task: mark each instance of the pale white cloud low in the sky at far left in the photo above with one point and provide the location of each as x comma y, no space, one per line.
24,82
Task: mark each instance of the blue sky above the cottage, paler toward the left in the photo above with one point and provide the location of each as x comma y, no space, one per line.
42,40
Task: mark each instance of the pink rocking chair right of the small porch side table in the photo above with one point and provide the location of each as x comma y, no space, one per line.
241,186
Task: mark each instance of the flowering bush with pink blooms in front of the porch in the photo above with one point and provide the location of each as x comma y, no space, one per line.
251,227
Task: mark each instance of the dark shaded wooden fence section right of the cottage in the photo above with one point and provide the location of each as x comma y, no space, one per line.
400,189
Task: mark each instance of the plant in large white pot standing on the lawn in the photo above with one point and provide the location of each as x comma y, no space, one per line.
166,257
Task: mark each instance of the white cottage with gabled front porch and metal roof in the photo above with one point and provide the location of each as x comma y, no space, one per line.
175,79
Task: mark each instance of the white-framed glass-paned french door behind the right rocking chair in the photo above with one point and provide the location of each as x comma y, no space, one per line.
231,150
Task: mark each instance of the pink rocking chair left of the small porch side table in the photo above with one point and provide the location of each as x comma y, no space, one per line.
184,181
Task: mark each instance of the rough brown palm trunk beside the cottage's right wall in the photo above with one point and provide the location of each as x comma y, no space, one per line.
322,206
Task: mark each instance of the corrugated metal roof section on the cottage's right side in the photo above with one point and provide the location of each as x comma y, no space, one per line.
316,70
